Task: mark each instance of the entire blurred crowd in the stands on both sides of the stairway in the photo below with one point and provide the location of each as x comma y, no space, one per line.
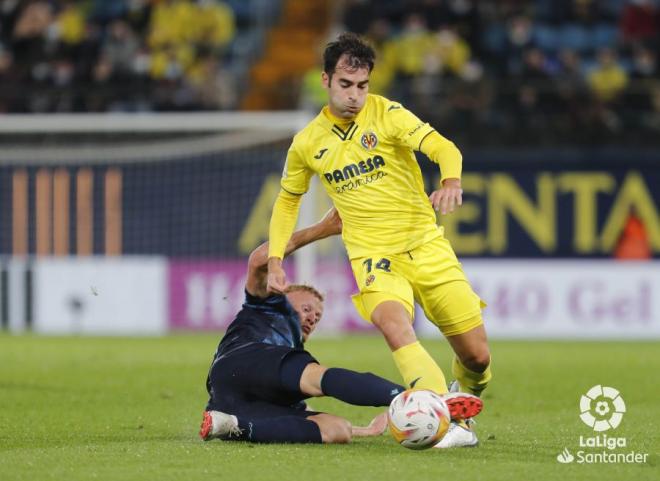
483,72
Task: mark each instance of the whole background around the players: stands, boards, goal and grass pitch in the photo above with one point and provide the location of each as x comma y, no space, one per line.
141,144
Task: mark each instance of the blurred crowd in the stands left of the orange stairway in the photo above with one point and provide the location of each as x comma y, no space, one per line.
97,55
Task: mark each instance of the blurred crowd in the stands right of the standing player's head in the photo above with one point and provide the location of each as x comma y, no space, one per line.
539,71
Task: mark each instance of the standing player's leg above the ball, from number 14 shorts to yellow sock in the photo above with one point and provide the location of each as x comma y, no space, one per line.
386,299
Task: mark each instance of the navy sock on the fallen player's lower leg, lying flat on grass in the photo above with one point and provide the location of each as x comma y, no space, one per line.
282,429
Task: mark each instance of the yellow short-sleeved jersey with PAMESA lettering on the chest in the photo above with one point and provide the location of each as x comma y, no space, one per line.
368,168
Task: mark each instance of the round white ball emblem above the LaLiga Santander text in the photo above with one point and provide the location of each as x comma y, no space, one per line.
602,408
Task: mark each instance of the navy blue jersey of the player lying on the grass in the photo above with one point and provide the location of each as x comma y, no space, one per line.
269,321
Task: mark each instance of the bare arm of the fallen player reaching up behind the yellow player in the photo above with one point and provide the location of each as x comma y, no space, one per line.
258,263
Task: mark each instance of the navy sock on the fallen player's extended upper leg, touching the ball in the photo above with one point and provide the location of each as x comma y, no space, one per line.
359,388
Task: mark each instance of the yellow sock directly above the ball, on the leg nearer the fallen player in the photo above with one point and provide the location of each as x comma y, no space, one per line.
418,368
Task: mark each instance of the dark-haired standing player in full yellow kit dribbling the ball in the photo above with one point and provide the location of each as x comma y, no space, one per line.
362,148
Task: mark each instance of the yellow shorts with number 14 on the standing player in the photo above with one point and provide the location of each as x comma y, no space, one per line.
429,274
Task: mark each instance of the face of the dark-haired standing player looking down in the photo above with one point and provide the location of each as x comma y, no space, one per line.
347,89
